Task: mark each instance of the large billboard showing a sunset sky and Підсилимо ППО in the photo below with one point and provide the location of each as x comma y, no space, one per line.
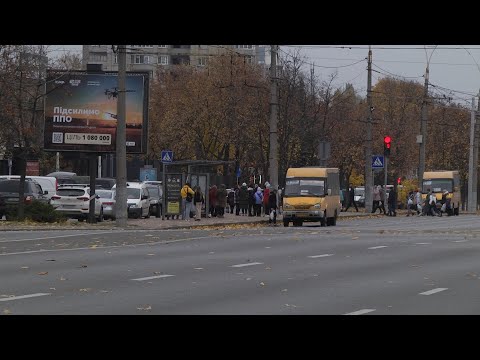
81,112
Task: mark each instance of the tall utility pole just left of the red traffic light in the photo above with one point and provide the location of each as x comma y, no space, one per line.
368,145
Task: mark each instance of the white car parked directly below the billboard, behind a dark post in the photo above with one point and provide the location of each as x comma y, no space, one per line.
74,201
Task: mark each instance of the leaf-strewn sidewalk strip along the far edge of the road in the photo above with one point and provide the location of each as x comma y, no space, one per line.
154,223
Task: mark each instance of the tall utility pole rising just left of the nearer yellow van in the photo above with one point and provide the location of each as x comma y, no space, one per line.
273,158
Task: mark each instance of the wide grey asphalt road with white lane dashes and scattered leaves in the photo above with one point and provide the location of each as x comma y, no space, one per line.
419,265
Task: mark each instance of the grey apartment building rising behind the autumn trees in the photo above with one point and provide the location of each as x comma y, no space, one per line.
148,57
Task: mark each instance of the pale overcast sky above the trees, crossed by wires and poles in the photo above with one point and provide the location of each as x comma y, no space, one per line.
453,67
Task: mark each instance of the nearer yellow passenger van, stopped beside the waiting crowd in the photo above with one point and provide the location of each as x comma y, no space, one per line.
311,194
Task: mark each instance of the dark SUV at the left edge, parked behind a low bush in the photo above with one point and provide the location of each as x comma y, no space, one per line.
9,193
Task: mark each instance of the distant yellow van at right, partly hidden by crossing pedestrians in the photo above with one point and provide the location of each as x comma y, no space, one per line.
440,180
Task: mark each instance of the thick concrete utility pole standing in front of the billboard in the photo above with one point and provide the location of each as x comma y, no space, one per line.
121,141
